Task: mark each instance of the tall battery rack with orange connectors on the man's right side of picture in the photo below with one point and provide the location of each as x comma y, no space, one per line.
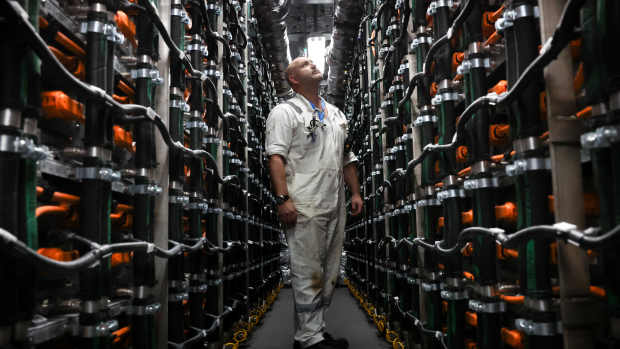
485,132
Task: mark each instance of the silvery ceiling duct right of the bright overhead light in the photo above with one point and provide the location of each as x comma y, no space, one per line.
347,16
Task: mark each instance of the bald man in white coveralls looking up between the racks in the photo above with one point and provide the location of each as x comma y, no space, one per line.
305,142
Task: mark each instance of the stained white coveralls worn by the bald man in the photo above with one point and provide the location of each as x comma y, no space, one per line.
315,181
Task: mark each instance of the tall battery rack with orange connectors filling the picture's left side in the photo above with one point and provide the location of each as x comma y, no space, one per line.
136,209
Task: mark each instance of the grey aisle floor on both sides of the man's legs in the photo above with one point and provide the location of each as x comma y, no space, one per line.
344,319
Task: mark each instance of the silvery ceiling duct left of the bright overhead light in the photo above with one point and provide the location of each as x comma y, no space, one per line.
271,15
